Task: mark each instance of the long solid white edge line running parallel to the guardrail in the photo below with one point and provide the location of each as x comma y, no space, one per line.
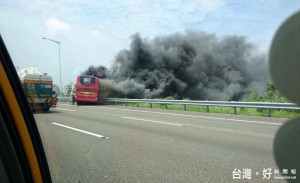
193,116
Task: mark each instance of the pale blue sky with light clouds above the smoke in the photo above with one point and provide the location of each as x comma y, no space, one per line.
93,32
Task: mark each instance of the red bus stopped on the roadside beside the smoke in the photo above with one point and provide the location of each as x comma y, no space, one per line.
86,89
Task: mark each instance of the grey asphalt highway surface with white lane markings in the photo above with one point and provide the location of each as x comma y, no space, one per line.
108,143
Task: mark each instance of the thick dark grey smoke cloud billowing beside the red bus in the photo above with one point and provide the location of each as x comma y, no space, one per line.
194,64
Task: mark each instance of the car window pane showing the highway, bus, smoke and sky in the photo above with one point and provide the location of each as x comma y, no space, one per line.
168,91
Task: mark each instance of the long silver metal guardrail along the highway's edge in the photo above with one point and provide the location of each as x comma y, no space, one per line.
234,105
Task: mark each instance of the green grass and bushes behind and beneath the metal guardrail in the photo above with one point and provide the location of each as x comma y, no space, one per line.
271,95
